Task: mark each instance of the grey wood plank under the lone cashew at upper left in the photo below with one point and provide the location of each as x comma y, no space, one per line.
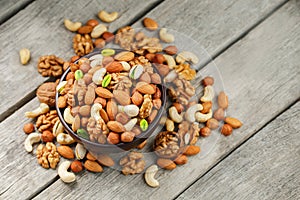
40,28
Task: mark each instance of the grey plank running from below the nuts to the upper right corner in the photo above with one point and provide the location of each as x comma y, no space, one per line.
262,76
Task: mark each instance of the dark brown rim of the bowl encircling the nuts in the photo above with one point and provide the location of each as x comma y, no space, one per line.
141,137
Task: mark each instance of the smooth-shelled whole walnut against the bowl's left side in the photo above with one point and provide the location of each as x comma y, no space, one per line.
46,93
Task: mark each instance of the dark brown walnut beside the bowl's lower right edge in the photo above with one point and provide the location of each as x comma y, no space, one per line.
168,144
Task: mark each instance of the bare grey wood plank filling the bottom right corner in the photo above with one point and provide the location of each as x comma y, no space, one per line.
266,167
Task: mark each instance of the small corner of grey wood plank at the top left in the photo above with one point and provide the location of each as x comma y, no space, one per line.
9,8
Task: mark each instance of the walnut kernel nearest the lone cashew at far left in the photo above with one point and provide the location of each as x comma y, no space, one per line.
50,66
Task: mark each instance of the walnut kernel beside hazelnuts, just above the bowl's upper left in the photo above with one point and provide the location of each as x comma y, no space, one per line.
82,44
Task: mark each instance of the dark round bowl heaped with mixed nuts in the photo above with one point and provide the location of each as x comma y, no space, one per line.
111,100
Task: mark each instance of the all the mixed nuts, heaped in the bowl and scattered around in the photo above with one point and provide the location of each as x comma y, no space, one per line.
113,96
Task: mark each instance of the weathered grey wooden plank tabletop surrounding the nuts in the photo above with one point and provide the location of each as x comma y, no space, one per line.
256,46
